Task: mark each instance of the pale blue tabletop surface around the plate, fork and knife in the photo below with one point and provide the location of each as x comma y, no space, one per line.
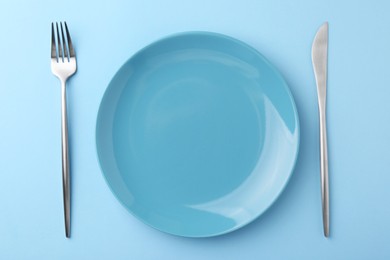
106,34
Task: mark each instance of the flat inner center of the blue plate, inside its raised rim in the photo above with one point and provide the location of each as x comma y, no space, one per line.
201,138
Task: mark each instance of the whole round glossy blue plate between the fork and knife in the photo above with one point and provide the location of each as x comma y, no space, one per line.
197,134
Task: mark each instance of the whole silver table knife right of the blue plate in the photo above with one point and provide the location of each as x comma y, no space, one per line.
320,65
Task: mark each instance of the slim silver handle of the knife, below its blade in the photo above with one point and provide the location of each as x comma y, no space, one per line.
324,170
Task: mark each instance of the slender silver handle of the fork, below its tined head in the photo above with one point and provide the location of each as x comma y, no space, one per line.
65,159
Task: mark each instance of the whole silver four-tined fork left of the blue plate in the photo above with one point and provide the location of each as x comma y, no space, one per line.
63,65
